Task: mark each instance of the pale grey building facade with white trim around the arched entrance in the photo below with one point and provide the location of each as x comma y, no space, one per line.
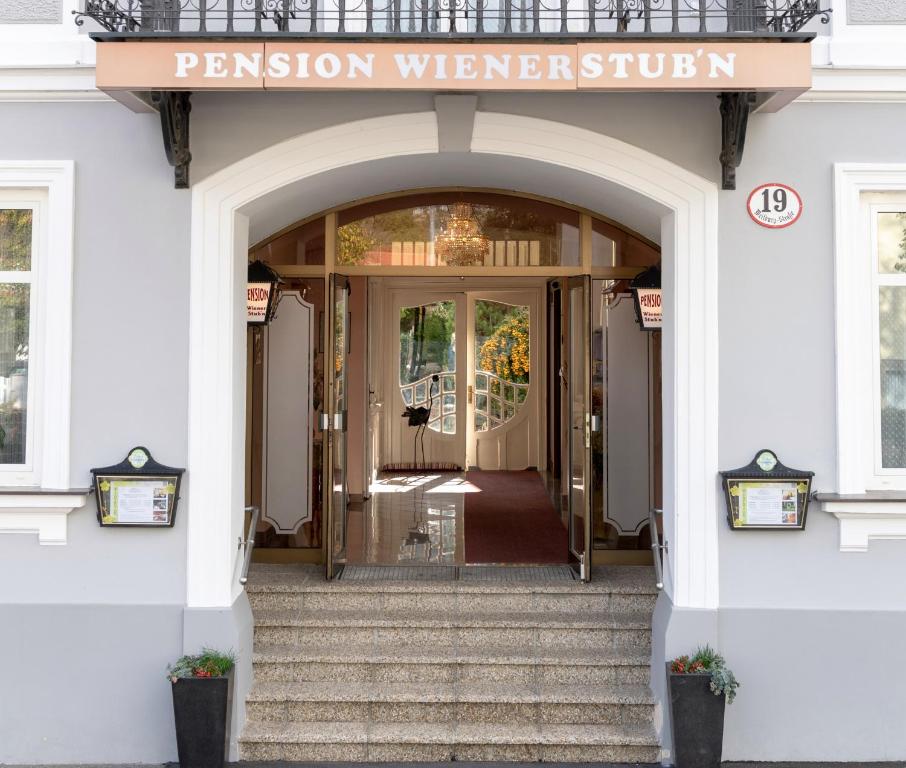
124,322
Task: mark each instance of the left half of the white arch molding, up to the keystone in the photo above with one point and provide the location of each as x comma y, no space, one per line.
217,328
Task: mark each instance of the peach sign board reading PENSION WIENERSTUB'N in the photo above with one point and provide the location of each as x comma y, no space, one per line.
648,66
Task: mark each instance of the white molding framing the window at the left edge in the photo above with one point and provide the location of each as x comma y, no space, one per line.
52,276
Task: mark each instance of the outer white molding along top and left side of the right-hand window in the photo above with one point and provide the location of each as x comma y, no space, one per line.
853,315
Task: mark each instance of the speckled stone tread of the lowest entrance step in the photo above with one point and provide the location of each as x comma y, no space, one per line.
291,732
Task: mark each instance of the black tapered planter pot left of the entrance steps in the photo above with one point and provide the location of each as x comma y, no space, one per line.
202,707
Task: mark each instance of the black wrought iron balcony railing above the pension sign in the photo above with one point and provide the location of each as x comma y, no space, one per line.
453,18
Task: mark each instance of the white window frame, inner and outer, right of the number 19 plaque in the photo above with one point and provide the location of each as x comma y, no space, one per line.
856,278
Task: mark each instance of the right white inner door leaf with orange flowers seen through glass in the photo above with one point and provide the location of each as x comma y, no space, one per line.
501,354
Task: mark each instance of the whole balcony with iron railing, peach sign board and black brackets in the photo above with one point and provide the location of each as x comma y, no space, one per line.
153,54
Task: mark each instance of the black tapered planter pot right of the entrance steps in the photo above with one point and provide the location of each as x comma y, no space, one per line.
696,720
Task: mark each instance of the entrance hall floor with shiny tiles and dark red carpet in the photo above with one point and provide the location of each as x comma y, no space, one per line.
446,518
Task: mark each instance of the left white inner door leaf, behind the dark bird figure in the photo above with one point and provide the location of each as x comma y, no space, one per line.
424,377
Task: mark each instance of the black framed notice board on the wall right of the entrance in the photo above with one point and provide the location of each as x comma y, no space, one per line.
765,494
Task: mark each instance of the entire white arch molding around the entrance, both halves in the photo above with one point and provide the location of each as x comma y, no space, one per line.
219,246
